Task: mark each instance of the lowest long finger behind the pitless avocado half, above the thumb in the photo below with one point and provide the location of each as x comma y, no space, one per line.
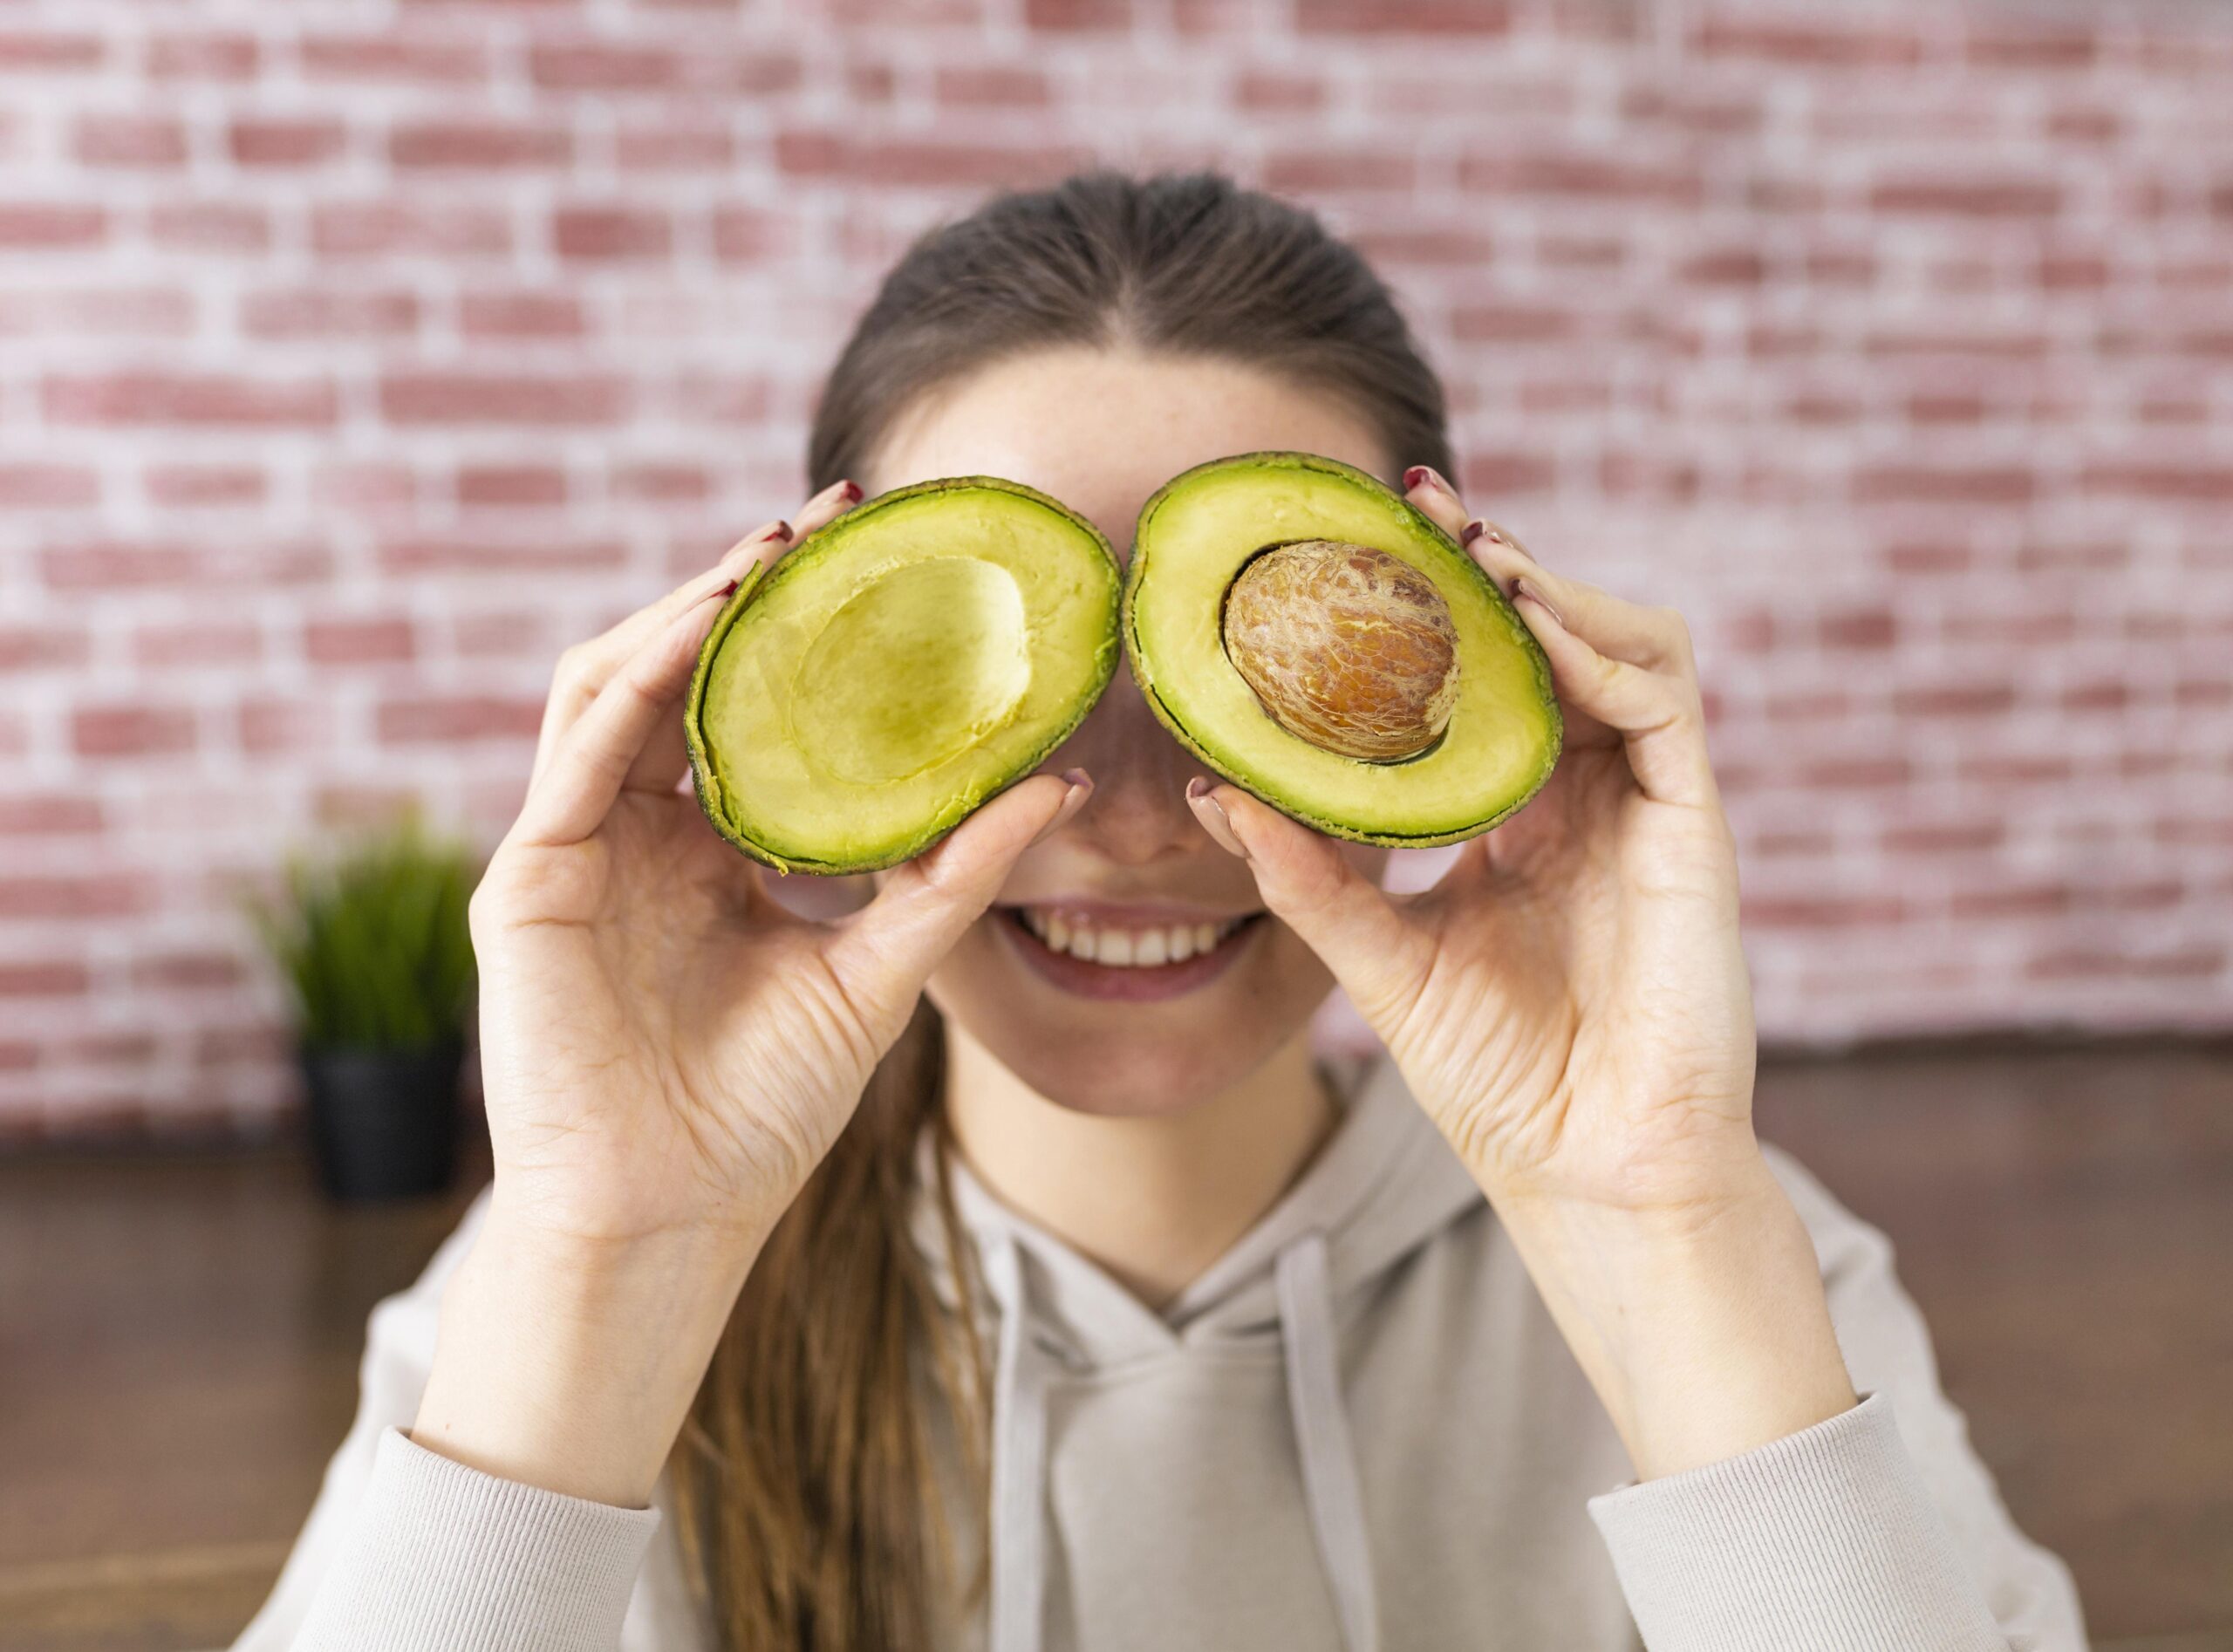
597,753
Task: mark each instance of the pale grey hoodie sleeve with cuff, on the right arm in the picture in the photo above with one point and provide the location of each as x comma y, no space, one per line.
1872,1533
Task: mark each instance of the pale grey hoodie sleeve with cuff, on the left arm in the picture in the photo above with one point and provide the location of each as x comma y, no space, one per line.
408,1548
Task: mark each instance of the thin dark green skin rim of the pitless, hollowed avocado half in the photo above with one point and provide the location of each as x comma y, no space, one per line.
803,557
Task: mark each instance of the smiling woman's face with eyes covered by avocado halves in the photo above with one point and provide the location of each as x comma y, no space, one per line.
1102,432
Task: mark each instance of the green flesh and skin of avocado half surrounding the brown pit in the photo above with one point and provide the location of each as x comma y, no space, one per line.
1194,541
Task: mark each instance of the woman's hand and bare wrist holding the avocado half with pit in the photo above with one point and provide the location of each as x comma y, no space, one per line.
1573,1010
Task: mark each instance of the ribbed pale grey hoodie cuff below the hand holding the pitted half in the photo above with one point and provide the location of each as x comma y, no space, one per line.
1825,1541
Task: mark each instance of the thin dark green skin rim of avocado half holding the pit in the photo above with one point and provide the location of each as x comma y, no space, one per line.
1426,526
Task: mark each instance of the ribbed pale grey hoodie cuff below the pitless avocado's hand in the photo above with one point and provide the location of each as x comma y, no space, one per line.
448,1559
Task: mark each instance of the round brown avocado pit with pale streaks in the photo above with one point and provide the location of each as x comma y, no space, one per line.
1348,649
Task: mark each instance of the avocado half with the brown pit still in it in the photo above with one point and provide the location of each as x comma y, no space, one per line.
1319,642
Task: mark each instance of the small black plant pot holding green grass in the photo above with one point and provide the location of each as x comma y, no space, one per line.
385,1122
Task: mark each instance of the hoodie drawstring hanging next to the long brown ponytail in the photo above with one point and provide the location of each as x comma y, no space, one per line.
1019,1463
